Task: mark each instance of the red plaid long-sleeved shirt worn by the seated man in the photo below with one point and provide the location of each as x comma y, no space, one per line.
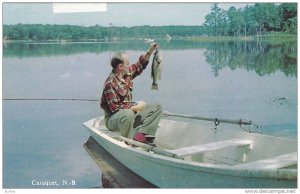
116,90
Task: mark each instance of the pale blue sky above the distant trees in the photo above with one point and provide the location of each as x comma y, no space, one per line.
116,14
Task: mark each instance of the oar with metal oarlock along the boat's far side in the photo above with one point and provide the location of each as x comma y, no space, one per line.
216,120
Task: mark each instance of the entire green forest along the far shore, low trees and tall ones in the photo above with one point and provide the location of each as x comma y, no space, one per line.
255,20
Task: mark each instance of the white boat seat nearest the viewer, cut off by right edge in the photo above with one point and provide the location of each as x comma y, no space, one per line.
276,162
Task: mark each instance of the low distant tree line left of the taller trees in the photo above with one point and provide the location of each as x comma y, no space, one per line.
73,32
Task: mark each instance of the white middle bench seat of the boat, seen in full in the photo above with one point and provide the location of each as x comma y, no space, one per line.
211,146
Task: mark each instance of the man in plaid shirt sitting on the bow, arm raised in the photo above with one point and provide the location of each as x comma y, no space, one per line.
133,120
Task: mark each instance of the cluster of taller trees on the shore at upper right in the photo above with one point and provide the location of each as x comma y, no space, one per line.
252,20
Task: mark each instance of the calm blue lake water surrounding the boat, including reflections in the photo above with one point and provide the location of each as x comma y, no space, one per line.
43,140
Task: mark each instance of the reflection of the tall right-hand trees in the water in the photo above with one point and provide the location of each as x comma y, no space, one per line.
260,56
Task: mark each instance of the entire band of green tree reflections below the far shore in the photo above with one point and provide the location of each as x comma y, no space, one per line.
260,56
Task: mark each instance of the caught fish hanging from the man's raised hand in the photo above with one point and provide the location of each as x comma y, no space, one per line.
156,69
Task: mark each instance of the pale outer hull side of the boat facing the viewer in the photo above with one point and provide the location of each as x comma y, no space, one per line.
166,172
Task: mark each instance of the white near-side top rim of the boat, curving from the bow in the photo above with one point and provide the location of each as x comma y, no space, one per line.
282,174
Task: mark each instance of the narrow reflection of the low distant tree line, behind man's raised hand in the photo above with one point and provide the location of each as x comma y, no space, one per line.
33,49
